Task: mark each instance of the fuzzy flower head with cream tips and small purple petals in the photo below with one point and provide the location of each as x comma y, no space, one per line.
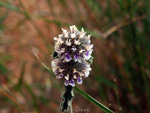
72,56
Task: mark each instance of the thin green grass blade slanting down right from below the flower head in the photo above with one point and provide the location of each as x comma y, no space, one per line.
91,99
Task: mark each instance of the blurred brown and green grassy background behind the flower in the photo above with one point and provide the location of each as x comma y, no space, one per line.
120,77
